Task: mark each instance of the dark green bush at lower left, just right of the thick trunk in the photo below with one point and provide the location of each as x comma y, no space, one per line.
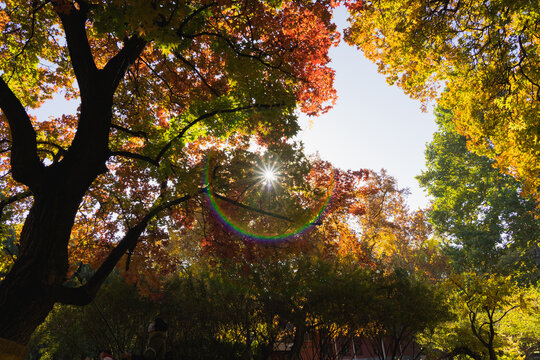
117,319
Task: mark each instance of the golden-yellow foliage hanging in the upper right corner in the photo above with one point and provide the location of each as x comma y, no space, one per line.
486,54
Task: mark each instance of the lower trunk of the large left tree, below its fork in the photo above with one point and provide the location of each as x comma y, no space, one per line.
28,292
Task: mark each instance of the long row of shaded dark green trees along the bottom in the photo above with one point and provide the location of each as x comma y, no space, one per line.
223,309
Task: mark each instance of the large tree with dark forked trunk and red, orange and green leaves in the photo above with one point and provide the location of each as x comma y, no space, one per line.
158,82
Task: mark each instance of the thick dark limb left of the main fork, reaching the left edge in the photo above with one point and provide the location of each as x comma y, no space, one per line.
25,164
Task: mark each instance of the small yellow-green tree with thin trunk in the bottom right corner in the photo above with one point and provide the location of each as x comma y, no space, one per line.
480,304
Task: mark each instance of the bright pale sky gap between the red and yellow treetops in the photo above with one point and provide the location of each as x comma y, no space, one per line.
373,125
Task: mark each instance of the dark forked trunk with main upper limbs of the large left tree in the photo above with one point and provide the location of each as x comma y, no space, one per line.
34,284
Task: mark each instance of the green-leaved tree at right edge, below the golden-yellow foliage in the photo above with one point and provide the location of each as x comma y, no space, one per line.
485,222
